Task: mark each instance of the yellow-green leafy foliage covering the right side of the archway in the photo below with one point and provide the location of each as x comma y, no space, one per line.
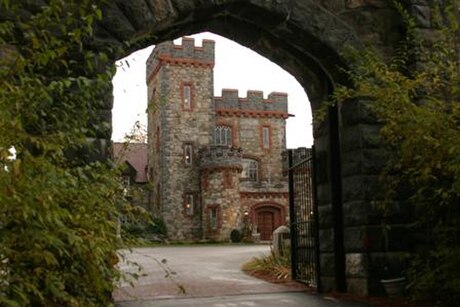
416,97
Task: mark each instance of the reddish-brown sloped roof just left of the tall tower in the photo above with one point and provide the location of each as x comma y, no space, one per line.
135,154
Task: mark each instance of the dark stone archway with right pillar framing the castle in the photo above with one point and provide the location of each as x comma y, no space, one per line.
306,38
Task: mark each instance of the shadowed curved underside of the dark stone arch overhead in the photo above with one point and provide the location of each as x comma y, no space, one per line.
277,33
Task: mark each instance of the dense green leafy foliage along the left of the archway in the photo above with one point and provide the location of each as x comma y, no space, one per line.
58,209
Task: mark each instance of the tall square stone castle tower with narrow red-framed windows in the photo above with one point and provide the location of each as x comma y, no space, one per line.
180,121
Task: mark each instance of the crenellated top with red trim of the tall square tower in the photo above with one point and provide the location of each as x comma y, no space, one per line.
187,53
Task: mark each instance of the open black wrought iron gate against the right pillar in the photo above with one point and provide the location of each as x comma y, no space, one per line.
303,217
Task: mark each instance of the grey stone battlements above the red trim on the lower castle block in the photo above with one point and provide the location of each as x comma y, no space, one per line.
254,101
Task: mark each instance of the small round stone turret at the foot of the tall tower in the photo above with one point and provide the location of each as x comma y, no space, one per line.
220,173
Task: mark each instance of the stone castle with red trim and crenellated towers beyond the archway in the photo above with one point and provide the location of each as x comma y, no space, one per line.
215,163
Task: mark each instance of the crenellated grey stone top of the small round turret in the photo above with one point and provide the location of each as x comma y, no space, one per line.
220,157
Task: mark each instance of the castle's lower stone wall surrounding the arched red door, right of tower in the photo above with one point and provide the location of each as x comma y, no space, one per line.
247,116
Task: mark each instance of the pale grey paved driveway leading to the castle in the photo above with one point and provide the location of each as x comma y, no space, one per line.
203,276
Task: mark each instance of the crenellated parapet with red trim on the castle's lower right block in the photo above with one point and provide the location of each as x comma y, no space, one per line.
254,104
